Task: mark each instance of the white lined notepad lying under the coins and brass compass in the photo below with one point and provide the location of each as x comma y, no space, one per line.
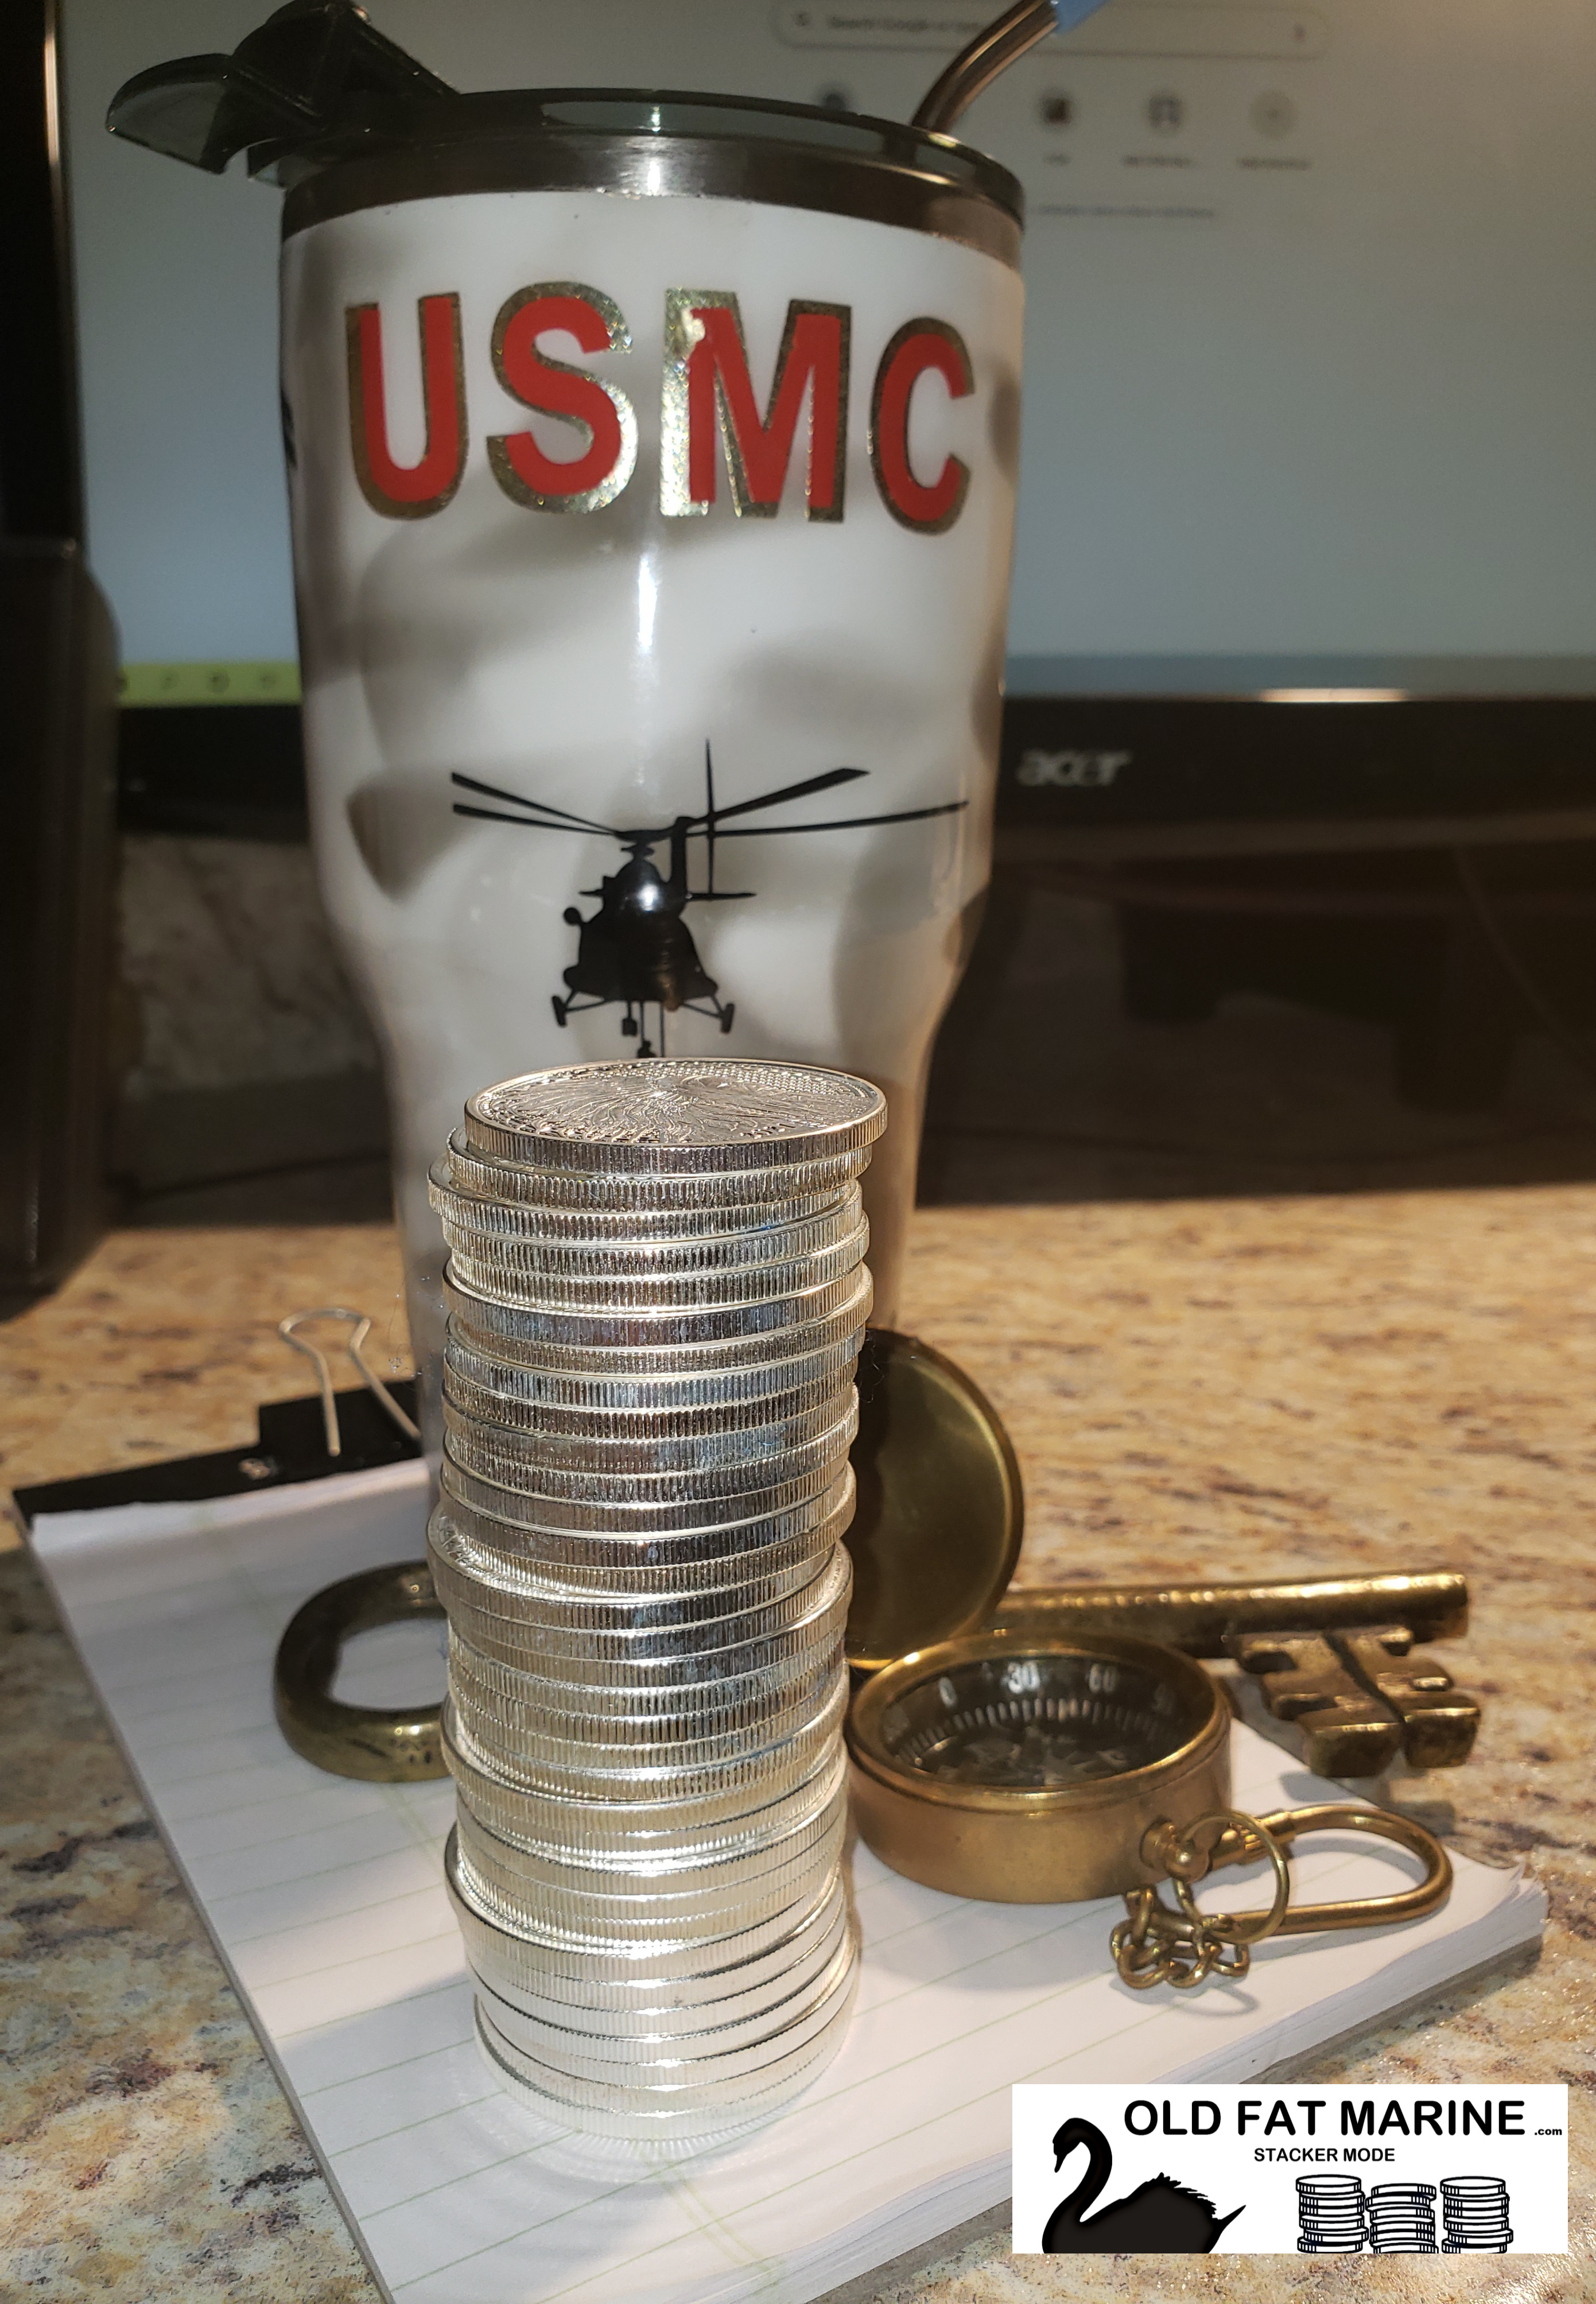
326,1900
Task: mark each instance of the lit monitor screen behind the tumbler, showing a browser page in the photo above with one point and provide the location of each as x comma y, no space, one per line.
1309,351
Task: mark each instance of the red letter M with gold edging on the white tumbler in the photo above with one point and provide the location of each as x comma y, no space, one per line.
708,388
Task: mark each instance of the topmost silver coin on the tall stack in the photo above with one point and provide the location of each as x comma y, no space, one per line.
676,1114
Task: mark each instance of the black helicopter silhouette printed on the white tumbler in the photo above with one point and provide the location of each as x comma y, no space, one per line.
637,950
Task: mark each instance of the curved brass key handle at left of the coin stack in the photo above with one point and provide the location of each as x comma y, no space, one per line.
356,1741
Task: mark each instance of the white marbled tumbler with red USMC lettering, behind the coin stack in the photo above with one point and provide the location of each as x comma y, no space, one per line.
653,476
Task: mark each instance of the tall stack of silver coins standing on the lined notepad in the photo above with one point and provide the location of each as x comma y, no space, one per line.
658,1298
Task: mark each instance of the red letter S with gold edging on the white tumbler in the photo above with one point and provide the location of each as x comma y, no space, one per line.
600,411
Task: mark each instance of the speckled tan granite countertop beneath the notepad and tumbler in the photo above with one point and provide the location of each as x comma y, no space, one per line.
1194,1390
